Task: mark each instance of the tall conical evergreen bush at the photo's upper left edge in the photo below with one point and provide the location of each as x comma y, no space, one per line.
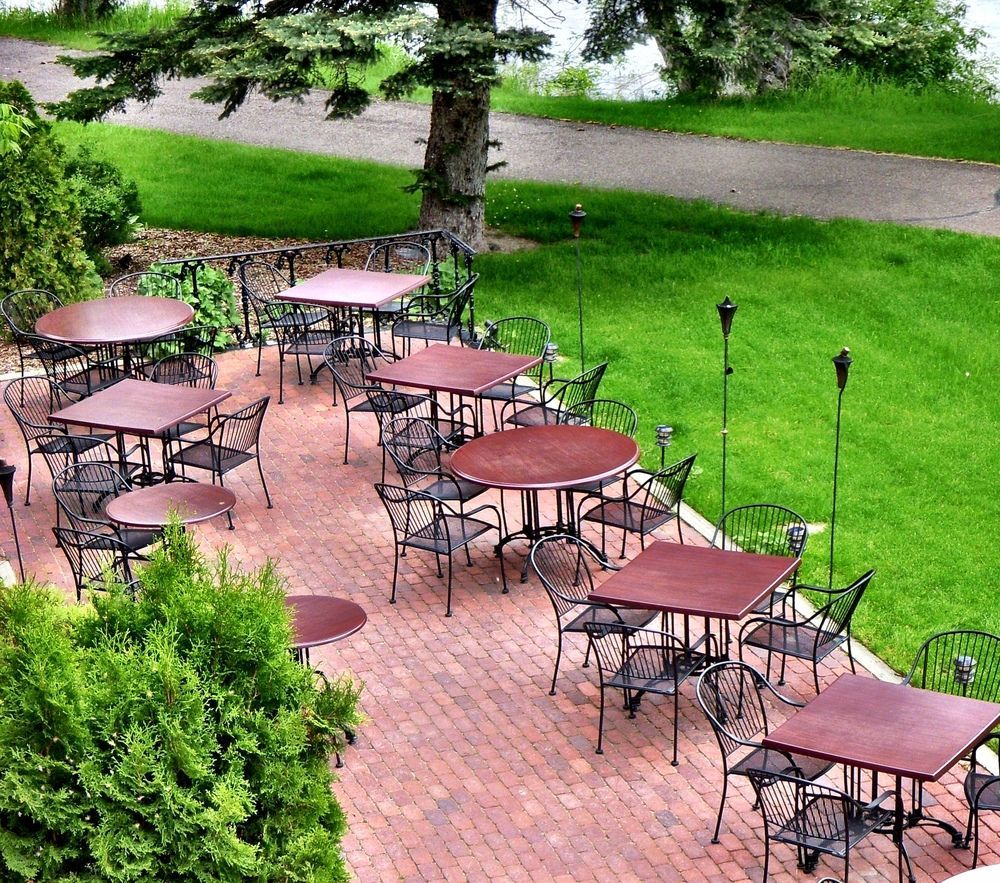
41,243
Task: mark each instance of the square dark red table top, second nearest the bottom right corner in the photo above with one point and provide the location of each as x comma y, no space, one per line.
696,581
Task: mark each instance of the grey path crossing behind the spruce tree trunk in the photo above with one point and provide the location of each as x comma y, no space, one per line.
789,179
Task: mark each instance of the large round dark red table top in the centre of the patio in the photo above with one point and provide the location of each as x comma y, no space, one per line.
544,457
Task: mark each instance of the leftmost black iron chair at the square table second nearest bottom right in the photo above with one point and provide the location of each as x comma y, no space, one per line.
562,563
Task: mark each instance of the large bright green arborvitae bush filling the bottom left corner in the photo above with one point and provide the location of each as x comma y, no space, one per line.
167,737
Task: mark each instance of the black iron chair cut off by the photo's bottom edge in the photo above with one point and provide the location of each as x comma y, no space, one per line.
816,819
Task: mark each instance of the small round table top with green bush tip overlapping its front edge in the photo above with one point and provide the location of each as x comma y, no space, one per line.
150,507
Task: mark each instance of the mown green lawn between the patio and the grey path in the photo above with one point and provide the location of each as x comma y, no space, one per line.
918,493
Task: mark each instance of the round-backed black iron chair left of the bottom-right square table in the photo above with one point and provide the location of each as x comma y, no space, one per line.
732,696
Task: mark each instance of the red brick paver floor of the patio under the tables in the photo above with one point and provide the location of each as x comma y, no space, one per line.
467,769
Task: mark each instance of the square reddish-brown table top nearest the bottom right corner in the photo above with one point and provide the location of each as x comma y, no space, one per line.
886,727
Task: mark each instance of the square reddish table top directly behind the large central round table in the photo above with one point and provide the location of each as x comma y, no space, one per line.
454,369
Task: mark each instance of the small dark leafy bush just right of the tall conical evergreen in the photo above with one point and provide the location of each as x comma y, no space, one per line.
109,203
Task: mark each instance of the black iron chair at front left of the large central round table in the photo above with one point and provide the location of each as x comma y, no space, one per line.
420,521
